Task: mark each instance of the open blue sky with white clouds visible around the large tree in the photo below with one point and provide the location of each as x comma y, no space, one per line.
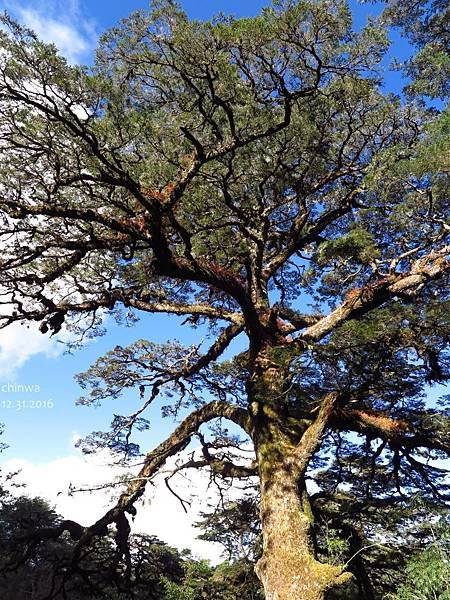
41,425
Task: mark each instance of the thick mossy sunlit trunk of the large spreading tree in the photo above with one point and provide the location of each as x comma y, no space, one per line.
288,569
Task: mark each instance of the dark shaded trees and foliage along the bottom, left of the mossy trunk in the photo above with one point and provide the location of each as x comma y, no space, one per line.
30,566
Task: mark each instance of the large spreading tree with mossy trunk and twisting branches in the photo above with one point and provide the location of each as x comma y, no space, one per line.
251,176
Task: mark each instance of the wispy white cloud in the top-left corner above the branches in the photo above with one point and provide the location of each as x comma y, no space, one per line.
61,23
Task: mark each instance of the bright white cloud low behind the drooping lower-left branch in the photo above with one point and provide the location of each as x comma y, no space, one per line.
160,515
